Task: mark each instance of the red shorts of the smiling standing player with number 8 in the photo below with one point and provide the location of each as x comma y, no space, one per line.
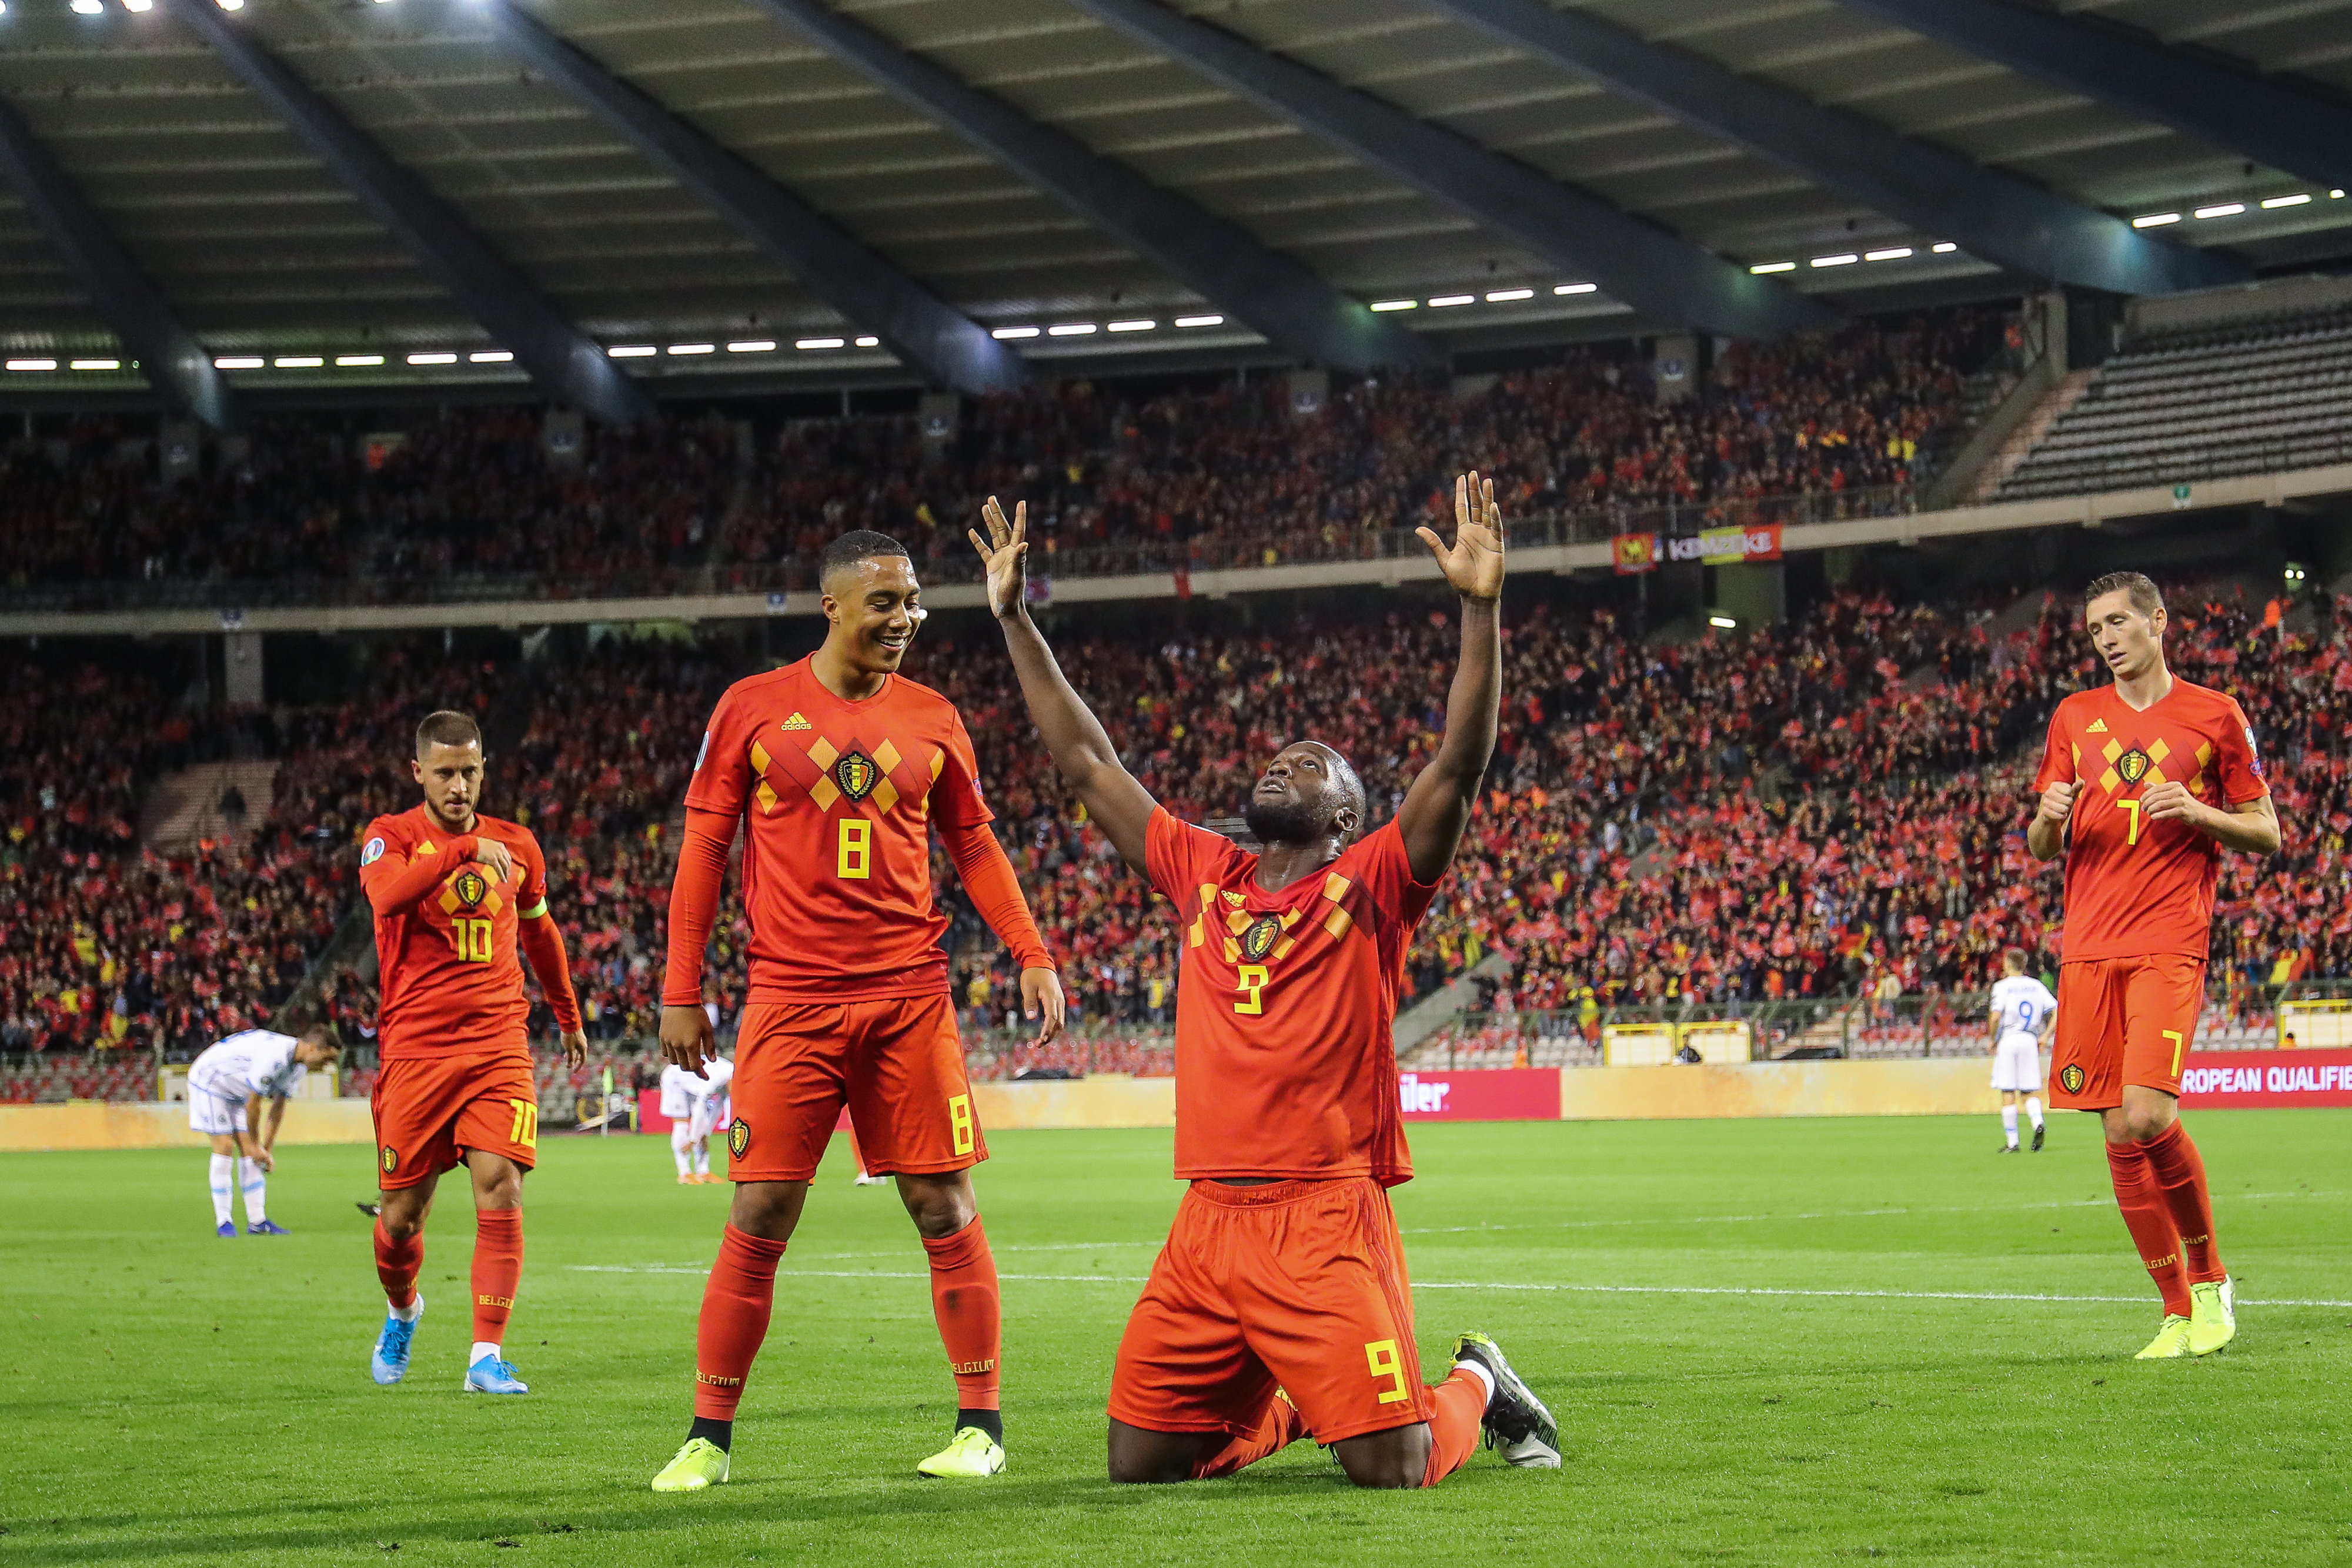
897,1064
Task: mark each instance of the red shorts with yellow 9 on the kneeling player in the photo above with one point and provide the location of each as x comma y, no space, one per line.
1292,1285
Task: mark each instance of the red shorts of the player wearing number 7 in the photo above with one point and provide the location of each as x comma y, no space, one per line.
2123,1021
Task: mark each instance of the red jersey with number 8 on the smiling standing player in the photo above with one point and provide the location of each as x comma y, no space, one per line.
838,855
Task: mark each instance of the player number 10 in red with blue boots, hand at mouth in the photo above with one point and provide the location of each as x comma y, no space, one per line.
460,902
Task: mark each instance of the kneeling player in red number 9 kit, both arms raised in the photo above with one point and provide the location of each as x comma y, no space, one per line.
1281,1306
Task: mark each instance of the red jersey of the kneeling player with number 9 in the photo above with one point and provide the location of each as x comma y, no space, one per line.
1288,1007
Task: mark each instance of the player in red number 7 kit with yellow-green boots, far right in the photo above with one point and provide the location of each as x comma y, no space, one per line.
2144,784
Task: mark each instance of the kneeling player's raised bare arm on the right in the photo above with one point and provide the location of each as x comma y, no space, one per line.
1438,808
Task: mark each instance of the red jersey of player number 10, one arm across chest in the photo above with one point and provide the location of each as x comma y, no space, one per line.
453,965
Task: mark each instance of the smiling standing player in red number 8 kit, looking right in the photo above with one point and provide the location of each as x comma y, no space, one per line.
838,768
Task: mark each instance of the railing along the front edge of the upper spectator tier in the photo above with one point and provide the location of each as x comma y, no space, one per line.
954,565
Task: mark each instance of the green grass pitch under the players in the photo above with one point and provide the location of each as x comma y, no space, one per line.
1678,1292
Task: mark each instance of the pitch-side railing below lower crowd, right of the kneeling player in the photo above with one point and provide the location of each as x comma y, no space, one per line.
1923,1024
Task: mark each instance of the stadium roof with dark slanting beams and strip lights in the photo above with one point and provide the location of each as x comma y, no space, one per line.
965,192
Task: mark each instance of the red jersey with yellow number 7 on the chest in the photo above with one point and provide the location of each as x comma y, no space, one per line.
2137,887
